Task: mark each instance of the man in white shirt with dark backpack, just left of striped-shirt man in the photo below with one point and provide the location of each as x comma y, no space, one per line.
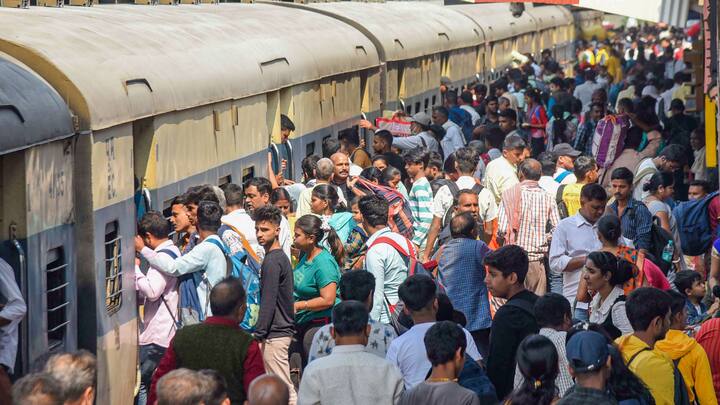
465,164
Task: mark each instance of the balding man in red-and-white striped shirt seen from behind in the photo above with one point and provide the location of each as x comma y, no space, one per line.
527,215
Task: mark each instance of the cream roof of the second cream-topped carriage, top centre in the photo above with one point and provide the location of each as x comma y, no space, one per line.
408,29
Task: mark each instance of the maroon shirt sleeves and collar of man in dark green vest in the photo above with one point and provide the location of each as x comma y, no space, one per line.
253,364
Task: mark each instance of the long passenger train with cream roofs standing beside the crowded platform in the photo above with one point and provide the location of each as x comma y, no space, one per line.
95,99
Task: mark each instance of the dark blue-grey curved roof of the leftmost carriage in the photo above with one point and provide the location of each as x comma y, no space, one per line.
31,112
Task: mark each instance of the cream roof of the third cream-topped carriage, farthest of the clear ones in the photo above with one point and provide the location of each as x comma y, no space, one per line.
496,20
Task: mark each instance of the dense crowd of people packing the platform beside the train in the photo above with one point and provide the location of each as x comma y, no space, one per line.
544,239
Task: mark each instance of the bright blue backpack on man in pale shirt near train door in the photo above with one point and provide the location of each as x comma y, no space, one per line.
243,266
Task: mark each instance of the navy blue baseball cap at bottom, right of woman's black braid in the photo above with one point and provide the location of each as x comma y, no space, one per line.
587,351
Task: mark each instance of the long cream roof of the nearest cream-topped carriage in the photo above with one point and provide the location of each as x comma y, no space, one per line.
118,63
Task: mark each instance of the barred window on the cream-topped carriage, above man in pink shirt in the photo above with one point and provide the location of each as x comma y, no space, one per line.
113,268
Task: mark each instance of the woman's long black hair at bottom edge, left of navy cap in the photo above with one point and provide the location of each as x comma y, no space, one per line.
537,360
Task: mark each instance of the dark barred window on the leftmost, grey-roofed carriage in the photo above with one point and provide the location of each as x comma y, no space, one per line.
57,300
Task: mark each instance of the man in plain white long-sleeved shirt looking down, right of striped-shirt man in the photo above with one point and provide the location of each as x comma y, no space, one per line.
573,239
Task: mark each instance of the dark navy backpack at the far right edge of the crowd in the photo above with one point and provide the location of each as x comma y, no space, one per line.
693,224
